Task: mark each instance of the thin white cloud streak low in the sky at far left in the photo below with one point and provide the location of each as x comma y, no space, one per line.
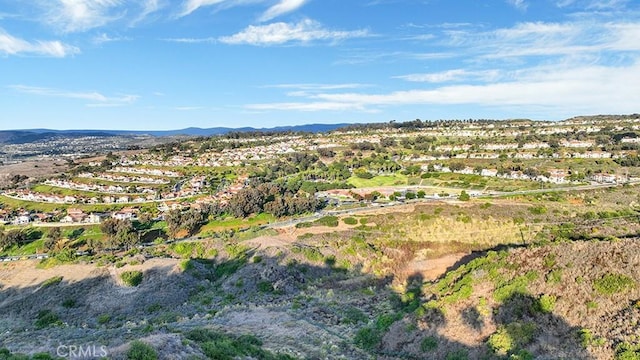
97,99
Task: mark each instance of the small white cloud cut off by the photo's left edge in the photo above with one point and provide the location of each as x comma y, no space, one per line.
10,45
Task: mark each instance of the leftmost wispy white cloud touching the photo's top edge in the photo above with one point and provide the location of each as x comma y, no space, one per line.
81,15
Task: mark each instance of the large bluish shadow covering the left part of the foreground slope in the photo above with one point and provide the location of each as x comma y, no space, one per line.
176,295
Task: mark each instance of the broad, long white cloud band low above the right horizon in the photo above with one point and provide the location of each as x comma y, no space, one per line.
570,90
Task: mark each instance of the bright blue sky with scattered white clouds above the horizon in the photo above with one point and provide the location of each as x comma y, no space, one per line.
168,64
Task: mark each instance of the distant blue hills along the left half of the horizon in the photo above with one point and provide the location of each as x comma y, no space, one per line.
31,135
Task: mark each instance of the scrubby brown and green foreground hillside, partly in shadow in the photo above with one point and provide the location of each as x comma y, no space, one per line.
349,291
